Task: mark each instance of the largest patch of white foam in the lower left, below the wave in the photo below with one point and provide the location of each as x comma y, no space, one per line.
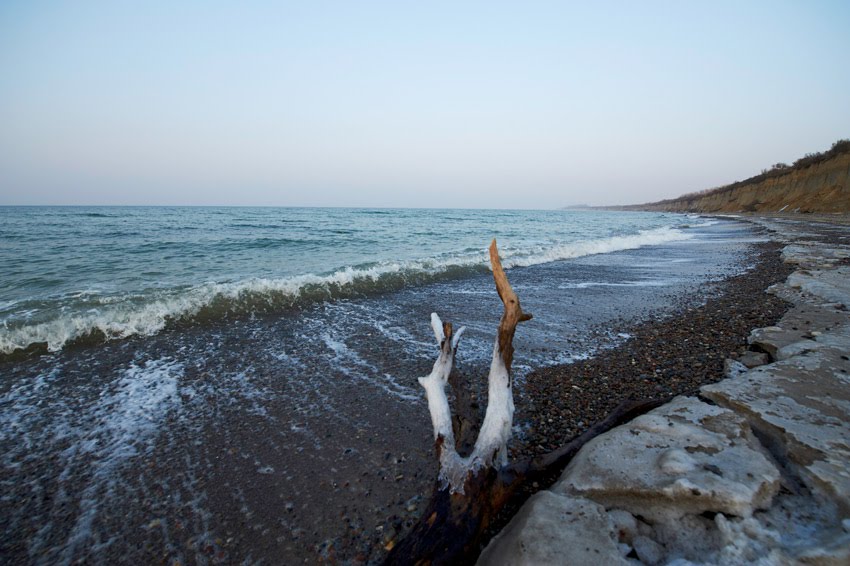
97,439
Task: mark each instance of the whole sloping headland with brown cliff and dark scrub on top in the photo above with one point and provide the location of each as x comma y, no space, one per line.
815,183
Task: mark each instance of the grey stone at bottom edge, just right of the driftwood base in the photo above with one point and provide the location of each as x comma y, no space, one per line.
556,529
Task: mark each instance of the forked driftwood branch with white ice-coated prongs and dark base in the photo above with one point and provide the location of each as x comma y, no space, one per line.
472,491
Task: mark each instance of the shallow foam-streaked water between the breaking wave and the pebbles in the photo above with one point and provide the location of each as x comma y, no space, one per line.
299,431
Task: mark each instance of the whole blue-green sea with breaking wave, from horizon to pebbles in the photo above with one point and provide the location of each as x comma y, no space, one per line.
238,385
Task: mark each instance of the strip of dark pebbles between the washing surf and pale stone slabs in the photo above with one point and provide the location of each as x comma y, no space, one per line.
688,349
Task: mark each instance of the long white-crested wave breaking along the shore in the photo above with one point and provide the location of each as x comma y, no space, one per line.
145,314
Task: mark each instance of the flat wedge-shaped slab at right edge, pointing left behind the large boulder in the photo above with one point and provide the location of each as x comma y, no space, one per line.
800,407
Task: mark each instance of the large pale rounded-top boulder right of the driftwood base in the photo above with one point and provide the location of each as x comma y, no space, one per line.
685,457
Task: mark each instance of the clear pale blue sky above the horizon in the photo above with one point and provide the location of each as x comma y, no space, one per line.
402,104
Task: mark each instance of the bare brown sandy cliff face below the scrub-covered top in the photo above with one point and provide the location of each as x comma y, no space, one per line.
823,187
